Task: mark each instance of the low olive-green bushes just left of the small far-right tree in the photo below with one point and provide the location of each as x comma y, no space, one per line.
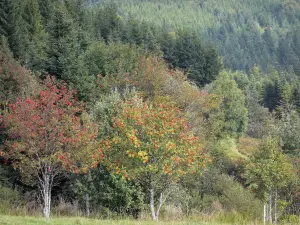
219,193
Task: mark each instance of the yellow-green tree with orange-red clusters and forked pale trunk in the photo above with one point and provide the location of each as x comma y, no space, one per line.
152,144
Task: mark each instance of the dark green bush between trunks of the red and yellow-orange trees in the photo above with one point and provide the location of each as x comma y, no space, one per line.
107,191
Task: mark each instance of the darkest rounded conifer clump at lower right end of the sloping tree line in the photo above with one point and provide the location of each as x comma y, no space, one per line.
186,51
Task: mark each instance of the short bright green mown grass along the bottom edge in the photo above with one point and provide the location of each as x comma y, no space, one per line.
17,220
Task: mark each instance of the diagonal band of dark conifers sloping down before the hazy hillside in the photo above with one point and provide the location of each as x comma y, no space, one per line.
183,50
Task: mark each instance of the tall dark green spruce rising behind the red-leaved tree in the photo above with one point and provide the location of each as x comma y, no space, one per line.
65,53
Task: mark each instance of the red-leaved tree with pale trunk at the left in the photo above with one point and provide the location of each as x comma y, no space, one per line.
48,134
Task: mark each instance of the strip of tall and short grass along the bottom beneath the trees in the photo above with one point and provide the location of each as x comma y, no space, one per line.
15,211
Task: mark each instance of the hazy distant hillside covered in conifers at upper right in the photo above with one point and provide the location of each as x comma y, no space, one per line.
262,32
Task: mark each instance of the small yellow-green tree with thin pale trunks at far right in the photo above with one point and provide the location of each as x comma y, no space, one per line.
267,171
